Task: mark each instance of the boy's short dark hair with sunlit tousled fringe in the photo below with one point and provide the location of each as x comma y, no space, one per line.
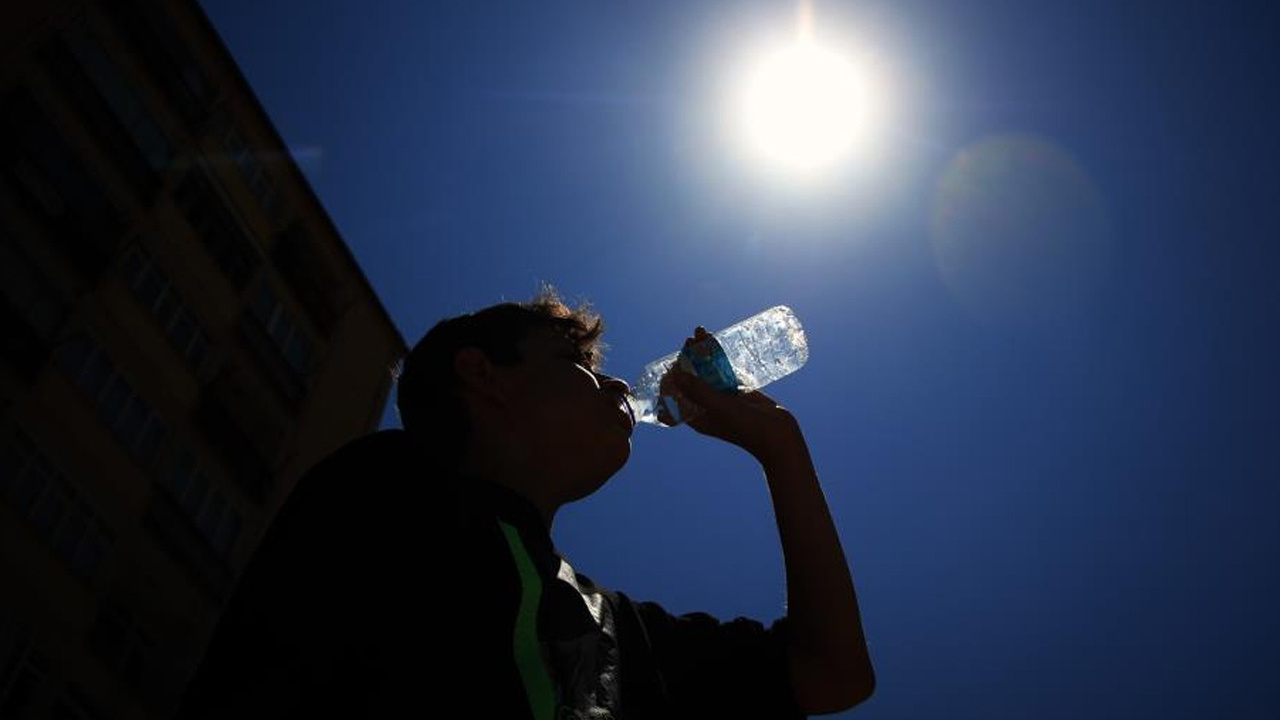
428,399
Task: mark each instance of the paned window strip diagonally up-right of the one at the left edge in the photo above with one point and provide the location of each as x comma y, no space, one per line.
130,420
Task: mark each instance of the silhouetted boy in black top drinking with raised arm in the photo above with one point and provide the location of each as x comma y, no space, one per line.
413,572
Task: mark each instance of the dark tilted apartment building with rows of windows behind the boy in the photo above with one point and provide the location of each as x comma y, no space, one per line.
182,334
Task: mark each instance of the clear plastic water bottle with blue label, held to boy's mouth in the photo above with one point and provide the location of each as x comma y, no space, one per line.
742,358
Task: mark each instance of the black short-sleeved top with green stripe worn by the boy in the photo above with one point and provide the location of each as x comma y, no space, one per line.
382,590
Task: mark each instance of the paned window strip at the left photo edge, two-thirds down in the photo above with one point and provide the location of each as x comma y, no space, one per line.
39,493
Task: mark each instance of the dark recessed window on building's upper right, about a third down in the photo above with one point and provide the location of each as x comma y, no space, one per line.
218,229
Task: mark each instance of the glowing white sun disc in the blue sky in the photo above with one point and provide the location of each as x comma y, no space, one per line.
804,107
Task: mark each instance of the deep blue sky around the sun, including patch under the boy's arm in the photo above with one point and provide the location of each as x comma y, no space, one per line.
1059,499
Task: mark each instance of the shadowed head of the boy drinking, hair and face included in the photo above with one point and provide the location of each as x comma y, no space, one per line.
518,386
